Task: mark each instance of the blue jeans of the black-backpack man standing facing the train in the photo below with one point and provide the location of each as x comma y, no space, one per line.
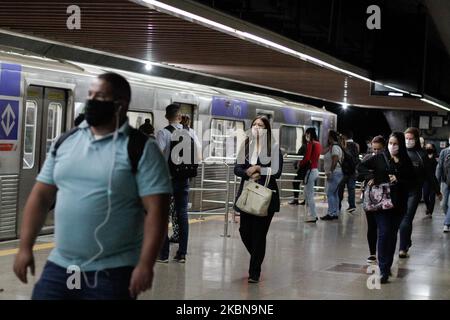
181,197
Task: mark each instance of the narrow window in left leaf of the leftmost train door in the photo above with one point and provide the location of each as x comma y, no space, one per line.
29,145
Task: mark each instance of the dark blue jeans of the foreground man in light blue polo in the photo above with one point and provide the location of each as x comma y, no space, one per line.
112,284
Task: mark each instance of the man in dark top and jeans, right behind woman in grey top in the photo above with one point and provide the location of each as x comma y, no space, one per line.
349,180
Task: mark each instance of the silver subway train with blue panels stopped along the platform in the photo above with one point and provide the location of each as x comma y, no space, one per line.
40,97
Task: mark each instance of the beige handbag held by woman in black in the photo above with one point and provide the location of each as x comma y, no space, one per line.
255,198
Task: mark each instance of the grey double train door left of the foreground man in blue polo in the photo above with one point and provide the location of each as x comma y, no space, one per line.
44,120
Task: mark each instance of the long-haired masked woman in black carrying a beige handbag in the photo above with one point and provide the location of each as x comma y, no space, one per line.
259,158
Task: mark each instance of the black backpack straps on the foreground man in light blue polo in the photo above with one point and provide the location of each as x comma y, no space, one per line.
136,144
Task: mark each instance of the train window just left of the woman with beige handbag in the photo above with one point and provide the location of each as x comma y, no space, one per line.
222,131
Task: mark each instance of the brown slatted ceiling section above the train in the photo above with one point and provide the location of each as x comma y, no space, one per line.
132,30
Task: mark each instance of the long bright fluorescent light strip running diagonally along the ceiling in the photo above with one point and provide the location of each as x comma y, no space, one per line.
248,36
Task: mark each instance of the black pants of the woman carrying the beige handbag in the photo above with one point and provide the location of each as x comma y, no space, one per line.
253,232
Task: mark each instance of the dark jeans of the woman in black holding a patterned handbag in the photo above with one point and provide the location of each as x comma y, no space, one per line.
388,222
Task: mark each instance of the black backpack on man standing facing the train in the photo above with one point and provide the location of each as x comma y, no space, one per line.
182,170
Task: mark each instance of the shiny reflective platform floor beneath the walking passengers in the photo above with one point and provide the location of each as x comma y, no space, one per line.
326,260
